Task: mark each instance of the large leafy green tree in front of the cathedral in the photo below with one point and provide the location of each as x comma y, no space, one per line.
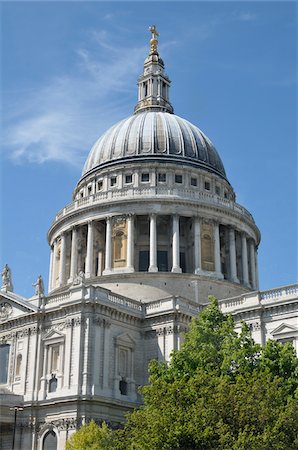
220,391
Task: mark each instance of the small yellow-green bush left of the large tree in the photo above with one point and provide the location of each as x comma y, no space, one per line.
91,437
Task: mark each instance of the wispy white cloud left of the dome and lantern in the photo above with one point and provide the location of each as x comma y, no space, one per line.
59,121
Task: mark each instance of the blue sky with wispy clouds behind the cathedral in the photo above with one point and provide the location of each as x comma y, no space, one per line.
69,72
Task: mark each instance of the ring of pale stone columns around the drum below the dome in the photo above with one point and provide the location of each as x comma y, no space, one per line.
59,277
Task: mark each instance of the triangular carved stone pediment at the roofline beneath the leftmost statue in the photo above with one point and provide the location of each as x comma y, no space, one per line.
13,306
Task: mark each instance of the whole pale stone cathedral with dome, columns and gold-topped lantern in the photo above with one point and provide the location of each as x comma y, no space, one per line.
153,229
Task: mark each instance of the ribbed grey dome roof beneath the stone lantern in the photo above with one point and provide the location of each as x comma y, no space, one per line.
155,135
